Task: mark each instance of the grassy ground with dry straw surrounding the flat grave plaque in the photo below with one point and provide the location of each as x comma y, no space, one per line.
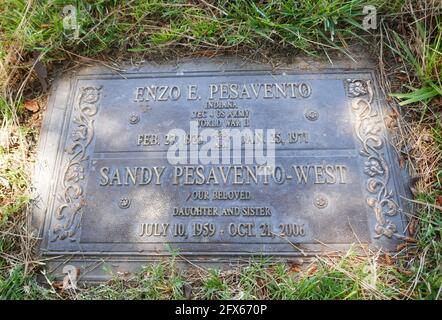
34,47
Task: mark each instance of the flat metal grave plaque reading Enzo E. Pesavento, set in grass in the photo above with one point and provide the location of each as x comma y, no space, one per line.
134,164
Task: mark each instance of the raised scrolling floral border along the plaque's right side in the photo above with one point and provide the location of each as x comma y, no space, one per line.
368,131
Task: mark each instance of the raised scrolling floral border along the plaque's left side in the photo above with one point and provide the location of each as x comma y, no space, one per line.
69,213
